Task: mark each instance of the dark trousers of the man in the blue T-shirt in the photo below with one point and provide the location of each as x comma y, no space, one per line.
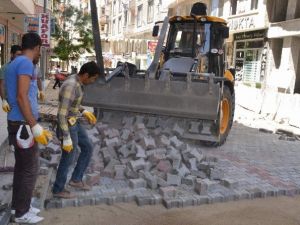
25,172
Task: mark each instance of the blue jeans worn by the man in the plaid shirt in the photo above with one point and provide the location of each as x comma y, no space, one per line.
79,137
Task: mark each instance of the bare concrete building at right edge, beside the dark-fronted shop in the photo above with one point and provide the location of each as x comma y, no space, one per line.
284,37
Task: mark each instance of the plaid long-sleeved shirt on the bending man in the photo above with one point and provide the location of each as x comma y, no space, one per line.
70,97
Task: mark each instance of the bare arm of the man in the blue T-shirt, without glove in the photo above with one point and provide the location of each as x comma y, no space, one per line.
23,101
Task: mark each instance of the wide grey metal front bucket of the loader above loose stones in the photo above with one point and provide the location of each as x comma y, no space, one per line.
192,99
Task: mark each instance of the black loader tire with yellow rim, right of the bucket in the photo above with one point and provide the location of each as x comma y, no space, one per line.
225,121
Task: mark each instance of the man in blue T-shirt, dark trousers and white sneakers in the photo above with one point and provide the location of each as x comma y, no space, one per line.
23,130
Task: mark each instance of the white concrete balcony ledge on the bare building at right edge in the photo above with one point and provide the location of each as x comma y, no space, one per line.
284,29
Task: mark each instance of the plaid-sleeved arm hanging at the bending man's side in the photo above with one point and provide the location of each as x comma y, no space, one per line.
67,96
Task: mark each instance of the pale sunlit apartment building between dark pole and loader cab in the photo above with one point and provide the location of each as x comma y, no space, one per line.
126,27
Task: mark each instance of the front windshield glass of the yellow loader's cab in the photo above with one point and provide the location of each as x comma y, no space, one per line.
188,39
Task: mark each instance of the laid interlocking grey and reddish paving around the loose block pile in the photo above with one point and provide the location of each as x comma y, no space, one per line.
255,164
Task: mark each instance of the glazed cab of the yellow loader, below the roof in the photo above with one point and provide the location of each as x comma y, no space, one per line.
195,44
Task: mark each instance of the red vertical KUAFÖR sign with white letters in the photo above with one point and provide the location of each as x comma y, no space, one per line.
44,29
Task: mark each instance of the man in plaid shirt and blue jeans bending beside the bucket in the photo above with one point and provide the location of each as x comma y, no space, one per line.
71,132
